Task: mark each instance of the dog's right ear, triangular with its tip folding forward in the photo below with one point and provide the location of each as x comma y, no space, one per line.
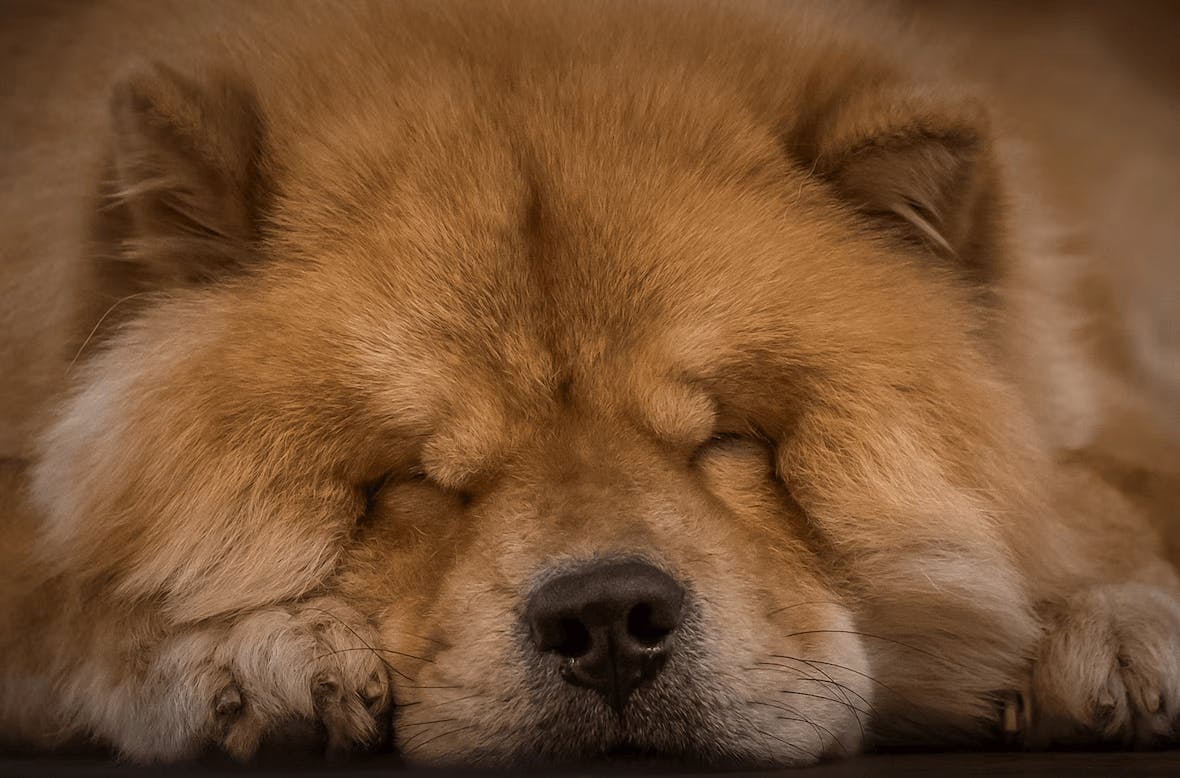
919,166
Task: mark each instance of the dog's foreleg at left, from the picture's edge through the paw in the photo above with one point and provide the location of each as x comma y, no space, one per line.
159,695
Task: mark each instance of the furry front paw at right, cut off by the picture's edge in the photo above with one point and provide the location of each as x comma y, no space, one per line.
1109,670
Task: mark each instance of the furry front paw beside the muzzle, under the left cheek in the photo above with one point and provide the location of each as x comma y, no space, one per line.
233,687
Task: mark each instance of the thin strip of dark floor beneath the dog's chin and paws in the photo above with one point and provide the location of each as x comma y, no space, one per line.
1165,763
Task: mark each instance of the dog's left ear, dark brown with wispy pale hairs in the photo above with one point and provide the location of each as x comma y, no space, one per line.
186,179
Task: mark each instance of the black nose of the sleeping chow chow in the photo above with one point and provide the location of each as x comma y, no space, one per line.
612,622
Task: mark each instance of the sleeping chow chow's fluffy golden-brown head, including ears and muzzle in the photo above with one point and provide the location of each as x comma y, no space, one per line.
639,415
